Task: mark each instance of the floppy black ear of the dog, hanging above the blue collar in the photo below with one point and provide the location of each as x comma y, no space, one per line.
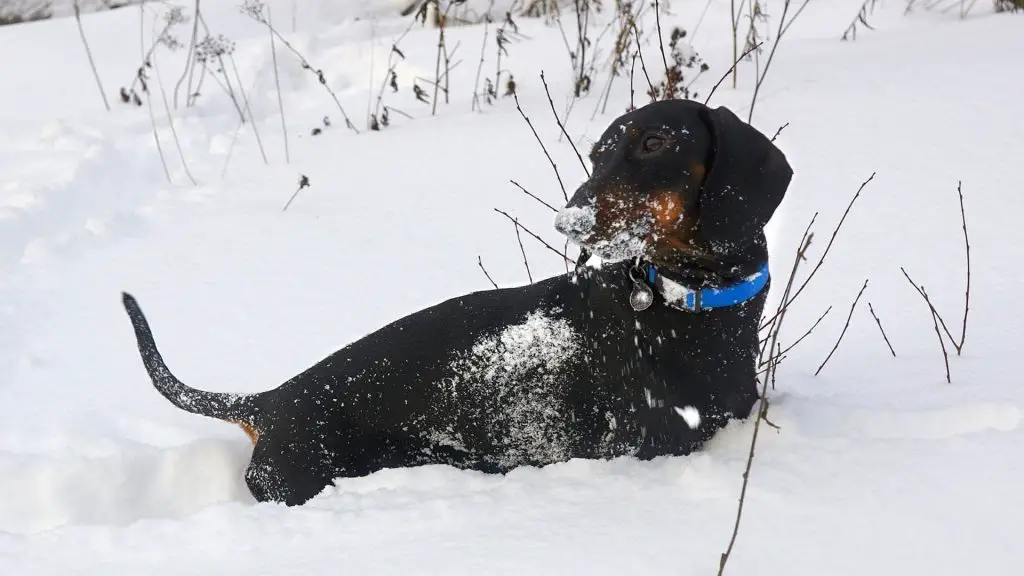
748,179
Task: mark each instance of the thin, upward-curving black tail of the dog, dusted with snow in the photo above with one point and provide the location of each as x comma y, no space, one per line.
236,408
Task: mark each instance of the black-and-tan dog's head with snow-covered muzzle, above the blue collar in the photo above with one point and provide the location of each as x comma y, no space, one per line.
676,177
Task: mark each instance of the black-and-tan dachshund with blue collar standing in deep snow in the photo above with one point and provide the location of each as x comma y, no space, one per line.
588,365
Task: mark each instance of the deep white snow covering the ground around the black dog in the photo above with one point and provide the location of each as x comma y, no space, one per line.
878,466
